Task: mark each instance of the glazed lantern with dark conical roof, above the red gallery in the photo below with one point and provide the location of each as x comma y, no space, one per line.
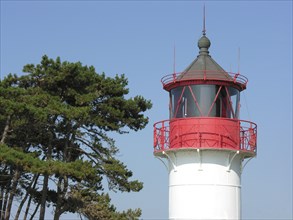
204,89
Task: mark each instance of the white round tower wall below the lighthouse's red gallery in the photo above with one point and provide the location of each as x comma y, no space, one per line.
204,184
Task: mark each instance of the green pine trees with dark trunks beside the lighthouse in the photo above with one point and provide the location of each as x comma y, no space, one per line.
55,148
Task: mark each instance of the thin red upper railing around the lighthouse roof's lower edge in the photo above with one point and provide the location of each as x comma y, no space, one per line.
205,75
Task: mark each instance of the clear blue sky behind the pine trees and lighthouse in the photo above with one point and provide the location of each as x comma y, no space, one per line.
137,38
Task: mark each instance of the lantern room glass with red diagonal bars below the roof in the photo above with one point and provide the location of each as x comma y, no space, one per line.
204,101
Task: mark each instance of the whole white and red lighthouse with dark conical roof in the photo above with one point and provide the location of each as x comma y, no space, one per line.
204,144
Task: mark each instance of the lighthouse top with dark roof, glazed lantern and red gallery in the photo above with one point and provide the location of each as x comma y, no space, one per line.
204,108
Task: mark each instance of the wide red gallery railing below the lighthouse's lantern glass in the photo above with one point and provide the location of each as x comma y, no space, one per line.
200,132
